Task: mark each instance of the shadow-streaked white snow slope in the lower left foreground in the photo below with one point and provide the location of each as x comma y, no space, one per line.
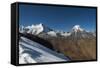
33,52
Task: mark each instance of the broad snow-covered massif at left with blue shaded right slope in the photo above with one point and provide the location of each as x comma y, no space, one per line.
35,29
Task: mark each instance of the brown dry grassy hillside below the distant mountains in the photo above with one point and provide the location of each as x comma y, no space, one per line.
81,49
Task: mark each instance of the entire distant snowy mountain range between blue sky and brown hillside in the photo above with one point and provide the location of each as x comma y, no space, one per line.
41,29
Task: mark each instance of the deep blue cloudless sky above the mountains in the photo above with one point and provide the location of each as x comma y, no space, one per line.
58,18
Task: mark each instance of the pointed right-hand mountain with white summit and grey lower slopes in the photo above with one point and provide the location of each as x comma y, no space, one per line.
79,33
